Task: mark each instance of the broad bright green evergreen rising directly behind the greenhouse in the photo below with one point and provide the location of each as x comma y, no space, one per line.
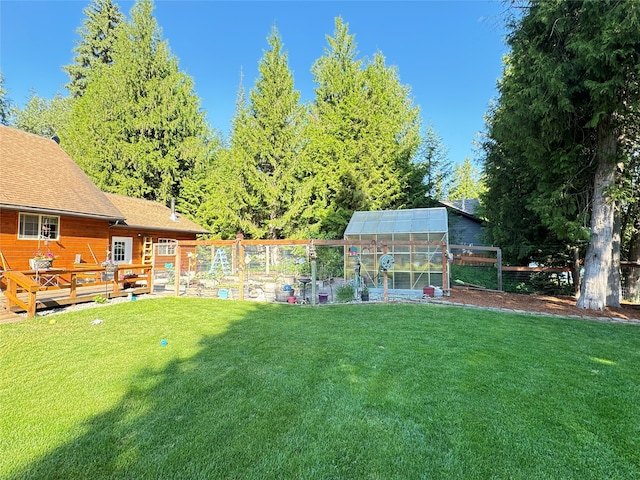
363,135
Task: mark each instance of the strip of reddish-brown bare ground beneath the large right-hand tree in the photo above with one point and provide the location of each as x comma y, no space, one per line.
563,306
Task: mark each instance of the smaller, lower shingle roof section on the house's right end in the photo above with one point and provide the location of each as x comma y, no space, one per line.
146,214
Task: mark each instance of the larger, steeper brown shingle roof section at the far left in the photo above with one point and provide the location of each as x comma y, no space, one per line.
36,174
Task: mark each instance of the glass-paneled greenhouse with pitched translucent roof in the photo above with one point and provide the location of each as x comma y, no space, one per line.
416,239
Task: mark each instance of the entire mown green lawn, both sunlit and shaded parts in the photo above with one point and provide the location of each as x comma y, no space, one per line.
254,391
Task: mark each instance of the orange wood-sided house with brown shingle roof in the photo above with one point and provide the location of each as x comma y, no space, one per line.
49,205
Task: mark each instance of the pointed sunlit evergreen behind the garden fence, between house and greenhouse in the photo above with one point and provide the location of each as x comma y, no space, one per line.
259,178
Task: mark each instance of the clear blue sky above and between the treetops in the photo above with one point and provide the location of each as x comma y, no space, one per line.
449,52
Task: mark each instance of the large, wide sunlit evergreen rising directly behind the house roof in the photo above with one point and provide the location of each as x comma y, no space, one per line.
138,130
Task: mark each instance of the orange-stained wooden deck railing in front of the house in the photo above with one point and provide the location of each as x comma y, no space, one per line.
32,283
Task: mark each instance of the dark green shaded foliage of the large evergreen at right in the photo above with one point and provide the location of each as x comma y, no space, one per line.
569,88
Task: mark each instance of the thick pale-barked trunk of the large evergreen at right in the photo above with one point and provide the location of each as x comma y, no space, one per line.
598,260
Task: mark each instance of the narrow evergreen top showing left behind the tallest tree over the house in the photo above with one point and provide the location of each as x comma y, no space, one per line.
98,36
